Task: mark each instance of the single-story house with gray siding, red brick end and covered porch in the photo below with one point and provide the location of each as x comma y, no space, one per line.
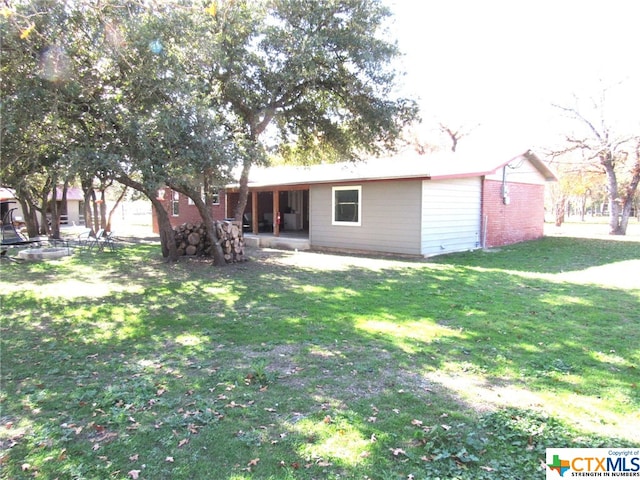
410,203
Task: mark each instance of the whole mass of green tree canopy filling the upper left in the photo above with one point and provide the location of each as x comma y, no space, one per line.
179,93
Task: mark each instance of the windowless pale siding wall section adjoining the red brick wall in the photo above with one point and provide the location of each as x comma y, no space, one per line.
451,211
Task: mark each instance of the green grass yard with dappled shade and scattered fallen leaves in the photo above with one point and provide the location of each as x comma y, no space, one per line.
116,365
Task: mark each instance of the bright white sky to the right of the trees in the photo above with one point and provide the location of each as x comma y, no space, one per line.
495,67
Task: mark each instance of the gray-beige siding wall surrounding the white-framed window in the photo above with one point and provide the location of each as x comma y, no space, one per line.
390,218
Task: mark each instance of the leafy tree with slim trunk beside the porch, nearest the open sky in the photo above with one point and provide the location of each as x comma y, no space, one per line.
313,77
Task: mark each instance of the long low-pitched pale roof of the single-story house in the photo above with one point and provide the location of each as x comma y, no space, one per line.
404,165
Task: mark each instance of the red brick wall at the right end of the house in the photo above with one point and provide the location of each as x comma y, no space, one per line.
521,220
